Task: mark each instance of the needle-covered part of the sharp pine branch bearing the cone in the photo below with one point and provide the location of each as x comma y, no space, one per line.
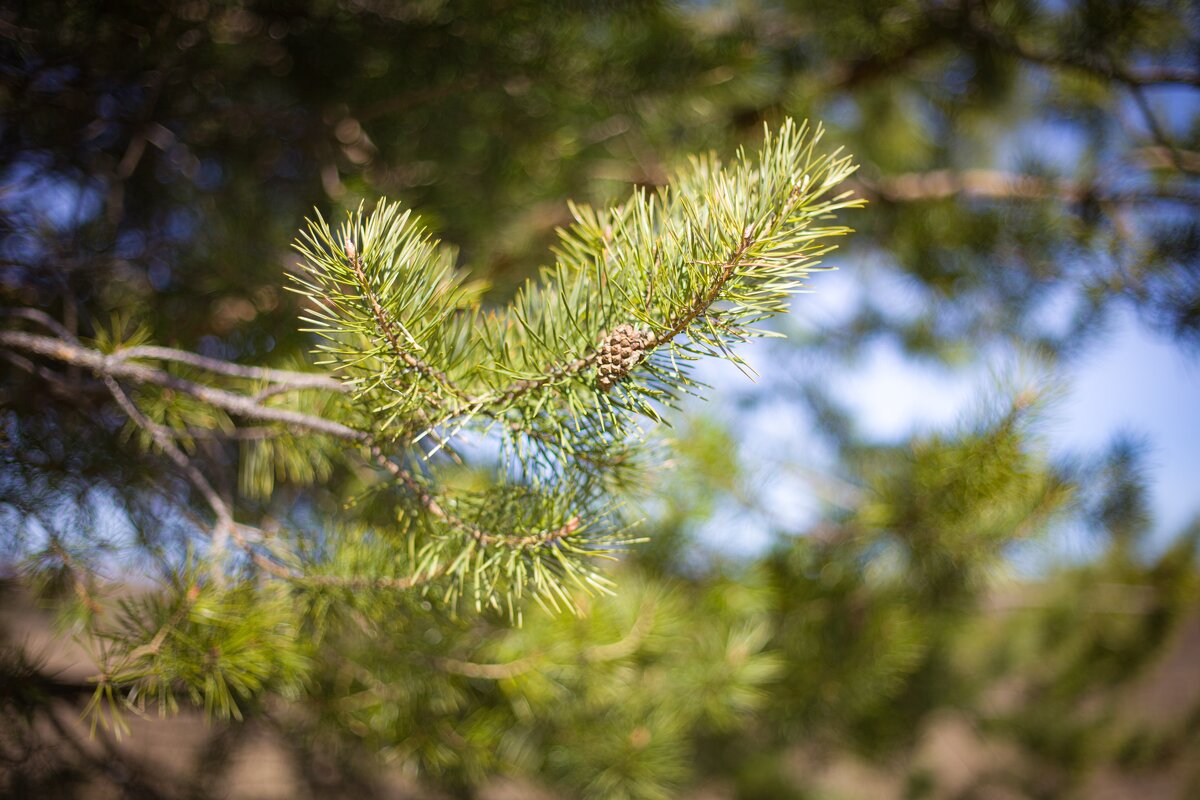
562,376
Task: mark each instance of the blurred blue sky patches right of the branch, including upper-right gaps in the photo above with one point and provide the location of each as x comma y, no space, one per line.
1127,381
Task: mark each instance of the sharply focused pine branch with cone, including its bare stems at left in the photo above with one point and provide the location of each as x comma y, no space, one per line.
560,382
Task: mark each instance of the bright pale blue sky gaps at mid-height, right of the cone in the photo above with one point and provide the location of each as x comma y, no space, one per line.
1129,381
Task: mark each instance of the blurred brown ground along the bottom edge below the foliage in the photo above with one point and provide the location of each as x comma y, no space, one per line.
1029,732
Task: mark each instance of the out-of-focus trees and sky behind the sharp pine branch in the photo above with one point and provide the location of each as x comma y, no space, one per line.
944,548
